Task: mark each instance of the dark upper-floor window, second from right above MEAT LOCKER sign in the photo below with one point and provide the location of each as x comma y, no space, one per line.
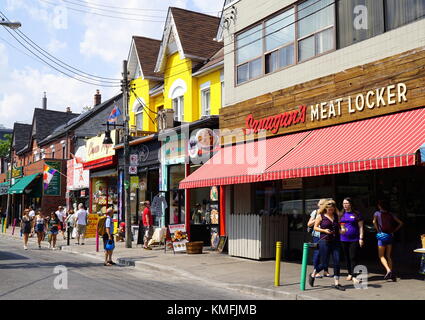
348,34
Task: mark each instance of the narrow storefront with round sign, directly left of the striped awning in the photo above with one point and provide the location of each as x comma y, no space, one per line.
180,155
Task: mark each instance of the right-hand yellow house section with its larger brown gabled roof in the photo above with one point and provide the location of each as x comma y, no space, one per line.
192,84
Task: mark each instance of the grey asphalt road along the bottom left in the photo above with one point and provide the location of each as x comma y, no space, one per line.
29,274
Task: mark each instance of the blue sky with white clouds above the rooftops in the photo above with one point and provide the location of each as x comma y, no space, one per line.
91,35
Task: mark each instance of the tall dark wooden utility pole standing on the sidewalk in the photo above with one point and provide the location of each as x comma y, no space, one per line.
128,243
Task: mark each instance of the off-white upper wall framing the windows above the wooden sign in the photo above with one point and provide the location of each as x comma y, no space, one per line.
388,44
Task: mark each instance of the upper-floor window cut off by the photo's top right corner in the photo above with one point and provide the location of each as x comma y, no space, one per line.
399,13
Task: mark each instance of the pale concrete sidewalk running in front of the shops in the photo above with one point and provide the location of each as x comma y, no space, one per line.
247,276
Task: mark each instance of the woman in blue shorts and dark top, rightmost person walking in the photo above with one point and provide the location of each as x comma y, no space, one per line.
386,223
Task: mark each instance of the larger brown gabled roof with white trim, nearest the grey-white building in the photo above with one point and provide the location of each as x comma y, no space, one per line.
194,34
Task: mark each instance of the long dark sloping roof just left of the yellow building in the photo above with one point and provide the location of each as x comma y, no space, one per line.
82,118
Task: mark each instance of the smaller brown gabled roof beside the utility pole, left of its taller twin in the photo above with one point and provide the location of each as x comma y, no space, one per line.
146,50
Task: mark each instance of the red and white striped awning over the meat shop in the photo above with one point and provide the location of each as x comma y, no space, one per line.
377,143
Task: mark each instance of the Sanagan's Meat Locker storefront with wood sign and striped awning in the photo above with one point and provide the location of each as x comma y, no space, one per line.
354,134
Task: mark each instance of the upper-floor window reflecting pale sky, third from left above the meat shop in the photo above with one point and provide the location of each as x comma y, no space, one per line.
316,21
